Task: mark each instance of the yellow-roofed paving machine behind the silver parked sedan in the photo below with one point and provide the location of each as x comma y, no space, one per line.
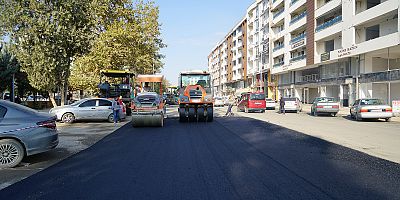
116,83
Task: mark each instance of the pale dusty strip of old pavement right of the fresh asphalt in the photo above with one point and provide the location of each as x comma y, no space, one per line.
377,138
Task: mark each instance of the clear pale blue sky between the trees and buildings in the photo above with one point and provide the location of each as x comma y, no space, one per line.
192,28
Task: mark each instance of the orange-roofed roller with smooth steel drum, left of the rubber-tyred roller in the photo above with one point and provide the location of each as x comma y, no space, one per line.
148,107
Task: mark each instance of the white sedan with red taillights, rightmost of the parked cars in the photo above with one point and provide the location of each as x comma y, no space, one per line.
370,109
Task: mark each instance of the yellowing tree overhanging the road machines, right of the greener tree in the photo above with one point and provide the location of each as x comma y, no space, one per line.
130,38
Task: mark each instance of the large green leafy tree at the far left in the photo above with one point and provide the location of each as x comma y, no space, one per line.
47,36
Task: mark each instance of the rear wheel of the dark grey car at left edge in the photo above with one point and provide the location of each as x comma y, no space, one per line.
11,153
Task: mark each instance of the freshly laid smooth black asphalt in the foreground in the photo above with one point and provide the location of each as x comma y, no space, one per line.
230,158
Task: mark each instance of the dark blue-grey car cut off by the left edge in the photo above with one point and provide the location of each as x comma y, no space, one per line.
24,132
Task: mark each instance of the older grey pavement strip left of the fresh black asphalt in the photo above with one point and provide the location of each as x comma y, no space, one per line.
73,138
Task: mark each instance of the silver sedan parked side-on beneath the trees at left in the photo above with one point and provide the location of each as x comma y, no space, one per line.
87,109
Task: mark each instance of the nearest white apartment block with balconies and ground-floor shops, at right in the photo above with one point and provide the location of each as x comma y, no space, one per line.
310,48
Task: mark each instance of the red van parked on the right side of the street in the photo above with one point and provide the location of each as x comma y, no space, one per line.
252,102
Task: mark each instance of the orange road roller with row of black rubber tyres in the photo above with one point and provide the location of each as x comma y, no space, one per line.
195,97
